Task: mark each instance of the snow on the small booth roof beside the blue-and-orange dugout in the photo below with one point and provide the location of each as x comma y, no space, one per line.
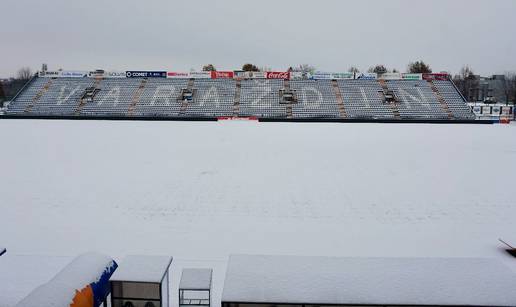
142,268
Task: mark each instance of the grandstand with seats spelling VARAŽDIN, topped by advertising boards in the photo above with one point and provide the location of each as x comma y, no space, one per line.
237,94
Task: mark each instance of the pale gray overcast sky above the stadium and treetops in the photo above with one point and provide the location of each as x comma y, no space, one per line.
331,35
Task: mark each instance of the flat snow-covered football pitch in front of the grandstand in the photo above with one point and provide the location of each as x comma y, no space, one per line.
201,191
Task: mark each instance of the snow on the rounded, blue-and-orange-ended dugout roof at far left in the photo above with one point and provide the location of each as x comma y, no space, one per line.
60,290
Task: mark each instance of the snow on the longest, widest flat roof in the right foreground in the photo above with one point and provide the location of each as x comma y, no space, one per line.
369,281
